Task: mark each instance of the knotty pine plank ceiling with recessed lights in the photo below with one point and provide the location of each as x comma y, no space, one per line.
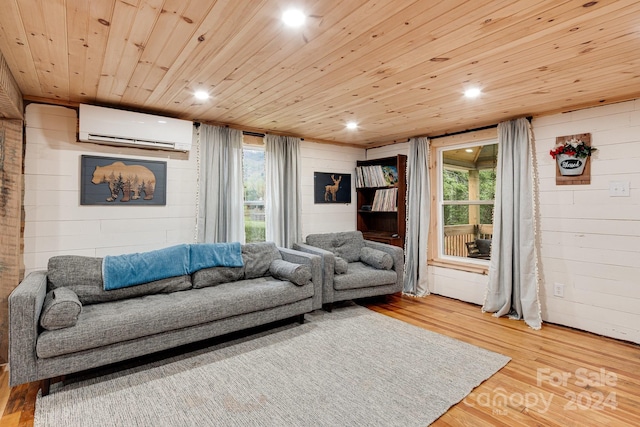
398,68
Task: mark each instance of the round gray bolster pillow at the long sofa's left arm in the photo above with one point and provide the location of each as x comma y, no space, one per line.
61,309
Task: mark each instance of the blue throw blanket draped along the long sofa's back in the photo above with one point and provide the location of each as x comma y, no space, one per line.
121,271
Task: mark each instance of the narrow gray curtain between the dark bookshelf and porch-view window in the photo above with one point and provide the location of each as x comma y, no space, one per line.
418,215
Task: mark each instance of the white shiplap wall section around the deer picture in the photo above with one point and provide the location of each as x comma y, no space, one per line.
325,218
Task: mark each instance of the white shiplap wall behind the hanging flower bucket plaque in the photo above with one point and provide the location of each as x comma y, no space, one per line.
589,240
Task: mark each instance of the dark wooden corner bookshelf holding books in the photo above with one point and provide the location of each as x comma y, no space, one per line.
387,226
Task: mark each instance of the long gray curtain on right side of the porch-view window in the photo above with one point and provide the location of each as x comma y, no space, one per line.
513,277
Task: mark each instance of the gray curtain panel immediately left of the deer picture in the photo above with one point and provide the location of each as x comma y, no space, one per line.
282,204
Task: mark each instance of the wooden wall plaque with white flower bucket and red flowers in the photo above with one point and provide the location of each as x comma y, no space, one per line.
572,153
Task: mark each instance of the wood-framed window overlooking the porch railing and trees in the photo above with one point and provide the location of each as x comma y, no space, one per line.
467,181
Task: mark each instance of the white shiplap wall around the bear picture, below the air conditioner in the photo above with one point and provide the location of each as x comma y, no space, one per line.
56,223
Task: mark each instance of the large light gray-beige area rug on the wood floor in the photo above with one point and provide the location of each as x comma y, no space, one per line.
346,368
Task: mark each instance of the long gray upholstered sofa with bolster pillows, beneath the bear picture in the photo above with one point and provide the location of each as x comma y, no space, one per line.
62,320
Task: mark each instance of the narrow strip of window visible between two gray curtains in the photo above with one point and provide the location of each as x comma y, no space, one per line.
254,182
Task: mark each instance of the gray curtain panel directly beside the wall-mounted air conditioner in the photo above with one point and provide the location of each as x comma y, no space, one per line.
221,197
